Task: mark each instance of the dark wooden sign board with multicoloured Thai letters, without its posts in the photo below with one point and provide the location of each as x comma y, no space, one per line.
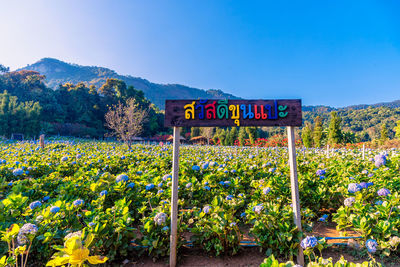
213,112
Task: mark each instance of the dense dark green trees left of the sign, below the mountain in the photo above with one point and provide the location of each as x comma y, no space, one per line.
29,107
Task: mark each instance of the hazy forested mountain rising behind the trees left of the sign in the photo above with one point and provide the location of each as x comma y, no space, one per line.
58,72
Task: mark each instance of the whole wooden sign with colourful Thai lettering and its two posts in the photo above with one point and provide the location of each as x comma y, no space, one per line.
205,113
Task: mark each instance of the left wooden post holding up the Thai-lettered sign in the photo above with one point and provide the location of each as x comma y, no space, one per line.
174,198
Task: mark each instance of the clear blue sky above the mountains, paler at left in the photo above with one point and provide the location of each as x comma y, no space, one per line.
334,53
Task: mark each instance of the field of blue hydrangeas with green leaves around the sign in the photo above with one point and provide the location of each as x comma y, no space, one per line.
83,202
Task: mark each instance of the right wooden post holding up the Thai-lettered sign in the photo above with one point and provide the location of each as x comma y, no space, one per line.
294,186
